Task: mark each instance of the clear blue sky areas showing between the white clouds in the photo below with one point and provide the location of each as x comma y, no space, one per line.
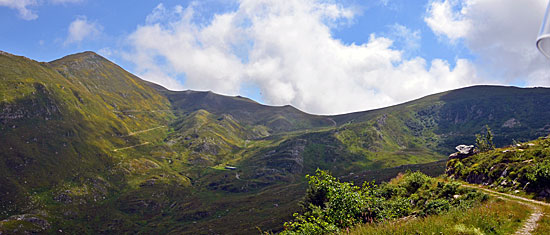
43,38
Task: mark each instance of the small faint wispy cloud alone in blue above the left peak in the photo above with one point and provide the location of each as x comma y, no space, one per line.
81,29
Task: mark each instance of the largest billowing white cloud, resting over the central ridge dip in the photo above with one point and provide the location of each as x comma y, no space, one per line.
286,49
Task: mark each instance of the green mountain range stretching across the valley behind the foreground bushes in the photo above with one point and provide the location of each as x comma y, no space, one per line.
87,146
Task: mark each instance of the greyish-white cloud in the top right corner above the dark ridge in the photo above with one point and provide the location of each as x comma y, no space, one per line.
501,33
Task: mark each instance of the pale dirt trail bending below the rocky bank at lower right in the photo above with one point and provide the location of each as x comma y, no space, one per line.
536,214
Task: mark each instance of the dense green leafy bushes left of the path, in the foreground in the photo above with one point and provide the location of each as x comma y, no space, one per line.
330,205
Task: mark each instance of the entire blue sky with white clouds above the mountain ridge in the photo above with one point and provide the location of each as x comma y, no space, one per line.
321,56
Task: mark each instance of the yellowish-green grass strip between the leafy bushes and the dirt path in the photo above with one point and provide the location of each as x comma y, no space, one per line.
495,216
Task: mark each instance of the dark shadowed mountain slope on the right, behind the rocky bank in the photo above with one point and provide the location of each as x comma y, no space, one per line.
453,117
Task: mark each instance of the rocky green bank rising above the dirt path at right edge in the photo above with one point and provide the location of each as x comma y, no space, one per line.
523,167
